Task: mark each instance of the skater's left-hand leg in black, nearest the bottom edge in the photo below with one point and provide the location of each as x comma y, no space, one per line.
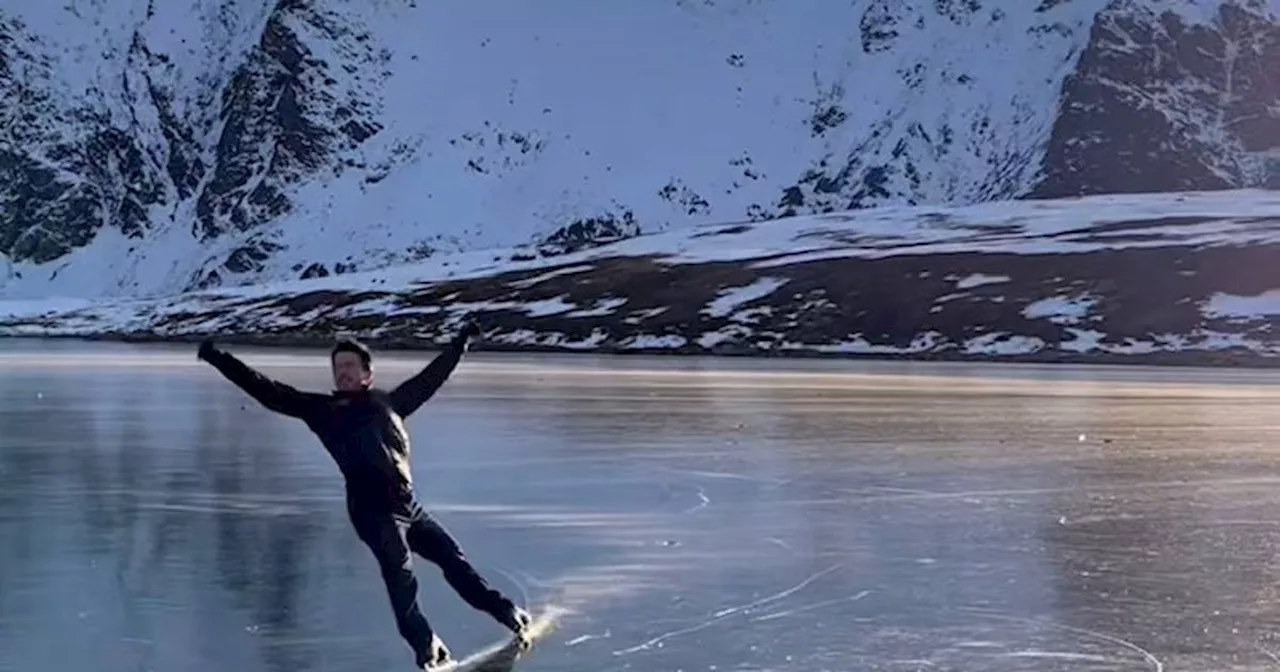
386,538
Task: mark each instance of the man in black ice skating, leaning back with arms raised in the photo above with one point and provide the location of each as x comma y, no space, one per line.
363,429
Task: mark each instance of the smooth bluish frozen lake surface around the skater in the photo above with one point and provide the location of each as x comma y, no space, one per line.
694,514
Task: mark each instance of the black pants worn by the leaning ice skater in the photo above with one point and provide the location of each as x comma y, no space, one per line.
394,540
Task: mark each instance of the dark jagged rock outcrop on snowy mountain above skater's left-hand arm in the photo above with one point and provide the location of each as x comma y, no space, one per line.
289,115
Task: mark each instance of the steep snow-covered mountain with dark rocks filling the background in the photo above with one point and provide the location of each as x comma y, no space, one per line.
150,148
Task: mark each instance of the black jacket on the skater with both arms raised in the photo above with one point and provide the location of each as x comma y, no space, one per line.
363,431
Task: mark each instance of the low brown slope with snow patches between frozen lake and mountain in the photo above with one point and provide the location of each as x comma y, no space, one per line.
1156,276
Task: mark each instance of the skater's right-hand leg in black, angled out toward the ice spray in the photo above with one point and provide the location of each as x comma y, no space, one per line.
431,541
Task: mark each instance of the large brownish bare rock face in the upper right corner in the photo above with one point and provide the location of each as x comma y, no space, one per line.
1159,106
